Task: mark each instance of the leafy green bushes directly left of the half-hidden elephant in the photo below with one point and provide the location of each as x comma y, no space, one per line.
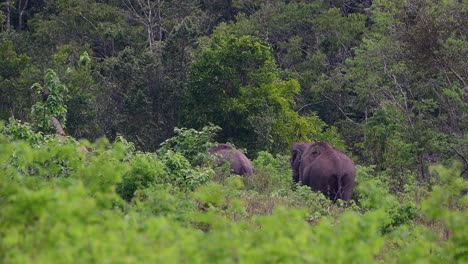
175,165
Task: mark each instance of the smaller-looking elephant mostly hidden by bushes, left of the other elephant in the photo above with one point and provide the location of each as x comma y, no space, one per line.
240,164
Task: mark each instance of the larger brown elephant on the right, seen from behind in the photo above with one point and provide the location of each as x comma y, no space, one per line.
323,168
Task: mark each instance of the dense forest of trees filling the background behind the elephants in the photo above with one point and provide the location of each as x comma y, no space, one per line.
392,83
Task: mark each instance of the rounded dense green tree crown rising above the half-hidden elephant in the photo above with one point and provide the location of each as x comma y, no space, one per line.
225,77
